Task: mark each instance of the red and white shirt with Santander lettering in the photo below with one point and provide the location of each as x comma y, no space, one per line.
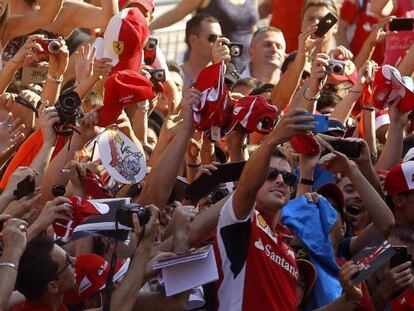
258,269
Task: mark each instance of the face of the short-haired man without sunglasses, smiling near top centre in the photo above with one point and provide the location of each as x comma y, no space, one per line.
268,48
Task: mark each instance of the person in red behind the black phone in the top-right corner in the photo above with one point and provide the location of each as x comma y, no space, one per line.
397,45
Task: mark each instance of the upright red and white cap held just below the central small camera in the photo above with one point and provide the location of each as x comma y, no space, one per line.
215,103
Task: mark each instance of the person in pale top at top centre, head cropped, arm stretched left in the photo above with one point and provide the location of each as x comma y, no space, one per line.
237,19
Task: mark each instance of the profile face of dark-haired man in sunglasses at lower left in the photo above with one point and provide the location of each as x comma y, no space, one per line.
66,279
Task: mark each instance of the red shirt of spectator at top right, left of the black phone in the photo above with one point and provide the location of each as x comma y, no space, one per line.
361,20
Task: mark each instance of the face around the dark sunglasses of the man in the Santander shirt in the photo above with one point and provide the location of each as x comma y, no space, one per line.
274,194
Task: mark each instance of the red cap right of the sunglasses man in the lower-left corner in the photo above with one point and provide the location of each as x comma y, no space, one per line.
92,271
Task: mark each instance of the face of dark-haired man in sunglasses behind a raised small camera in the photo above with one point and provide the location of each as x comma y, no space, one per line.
202,43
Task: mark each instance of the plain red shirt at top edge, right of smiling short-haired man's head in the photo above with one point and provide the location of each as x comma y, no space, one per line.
286,16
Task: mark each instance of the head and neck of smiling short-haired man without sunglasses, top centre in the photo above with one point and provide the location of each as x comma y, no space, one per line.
266,55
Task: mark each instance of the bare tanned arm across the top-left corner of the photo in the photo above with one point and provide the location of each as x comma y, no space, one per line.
18,25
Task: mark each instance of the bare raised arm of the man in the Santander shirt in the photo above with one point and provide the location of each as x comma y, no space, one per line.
256,169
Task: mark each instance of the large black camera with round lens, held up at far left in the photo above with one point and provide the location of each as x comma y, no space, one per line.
70,112
